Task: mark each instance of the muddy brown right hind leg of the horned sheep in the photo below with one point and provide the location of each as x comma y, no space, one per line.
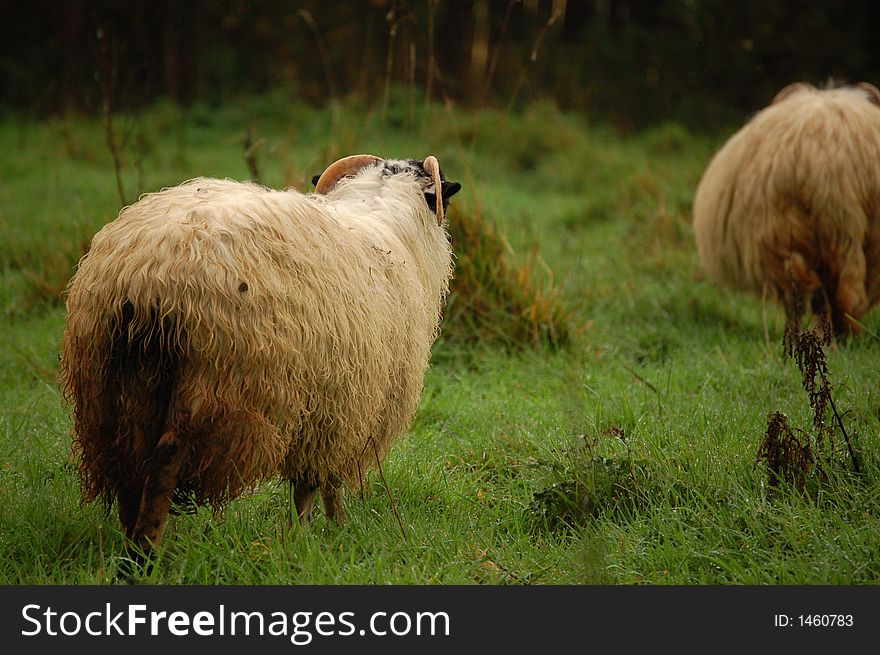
158,492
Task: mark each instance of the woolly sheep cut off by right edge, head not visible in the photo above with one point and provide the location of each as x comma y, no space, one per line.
791,204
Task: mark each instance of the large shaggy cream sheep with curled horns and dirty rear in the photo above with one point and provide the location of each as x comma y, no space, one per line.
220,333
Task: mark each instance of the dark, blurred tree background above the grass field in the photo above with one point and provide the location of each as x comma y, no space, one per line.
632,62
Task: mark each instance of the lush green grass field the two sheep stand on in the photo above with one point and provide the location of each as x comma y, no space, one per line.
628,456
